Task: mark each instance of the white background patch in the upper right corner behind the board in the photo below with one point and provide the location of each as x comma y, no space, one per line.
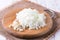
51,4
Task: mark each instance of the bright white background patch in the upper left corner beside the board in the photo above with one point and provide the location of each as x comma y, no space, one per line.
6,3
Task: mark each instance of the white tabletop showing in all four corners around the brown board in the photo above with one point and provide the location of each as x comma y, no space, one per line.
52,4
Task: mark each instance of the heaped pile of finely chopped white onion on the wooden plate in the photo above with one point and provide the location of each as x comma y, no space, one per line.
28,18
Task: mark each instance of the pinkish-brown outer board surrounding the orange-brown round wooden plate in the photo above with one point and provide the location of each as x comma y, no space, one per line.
10,37
